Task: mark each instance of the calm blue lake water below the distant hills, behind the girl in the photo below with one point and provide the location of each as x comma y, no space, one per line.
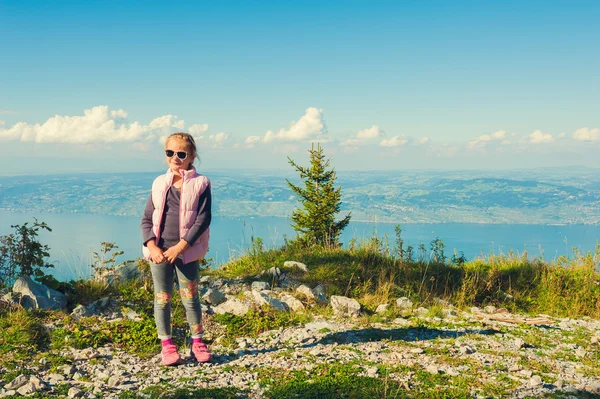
75,237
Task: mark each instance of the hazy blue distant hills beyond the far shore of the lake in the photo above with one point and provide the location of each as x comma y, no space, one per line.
545,196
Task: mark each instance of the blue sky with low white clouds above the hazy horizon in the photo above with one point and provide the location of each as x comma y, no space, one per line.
96,86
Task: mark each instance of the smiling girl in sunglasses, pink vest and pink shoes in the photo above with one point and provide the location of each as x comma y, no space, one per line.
175,231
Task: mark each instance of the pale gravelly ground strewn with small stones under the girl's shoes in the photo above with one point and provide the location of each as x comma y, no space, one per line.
515,360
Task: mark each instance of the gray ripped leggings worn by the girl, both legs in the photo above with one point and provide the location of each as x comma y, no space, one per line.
187,275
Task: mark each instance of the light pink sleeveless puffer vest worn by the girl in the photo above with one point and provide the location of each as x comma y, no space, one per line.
193,186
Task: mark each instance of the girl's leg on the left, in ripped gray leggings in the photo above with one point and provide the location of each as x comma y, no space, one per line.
162,276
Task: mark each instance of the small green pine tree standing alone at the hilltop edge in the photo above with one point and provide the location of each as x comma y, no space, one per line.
315,221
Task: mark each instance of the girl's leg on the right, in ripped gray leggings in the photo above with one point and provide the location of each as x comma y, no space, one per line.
188,276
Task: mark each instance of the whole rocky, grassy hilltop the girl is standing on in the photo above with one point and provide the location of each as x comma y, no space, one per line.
343,323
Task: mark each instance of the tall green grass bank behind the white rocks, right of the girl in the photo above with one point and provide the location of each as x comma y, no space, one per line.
369,273
